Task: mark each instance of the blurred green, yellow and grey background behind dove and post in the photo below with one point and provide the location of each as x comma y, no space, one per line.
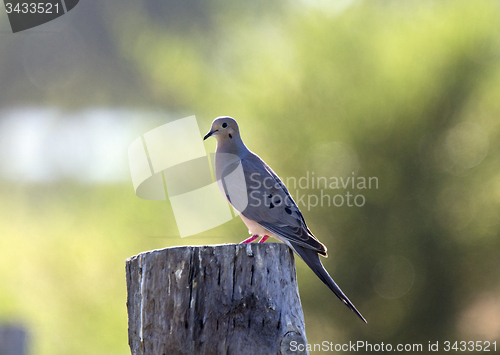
405,91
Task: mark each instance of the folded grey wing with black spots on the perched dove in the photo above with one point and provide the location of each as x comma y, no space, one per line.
271,205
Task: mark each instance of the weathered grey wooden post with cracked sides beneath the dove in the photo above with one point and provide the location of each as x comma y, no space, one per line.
224,299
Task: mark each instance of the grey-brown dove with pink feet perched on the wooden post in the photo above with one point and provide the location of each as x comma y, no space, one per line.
271,210
